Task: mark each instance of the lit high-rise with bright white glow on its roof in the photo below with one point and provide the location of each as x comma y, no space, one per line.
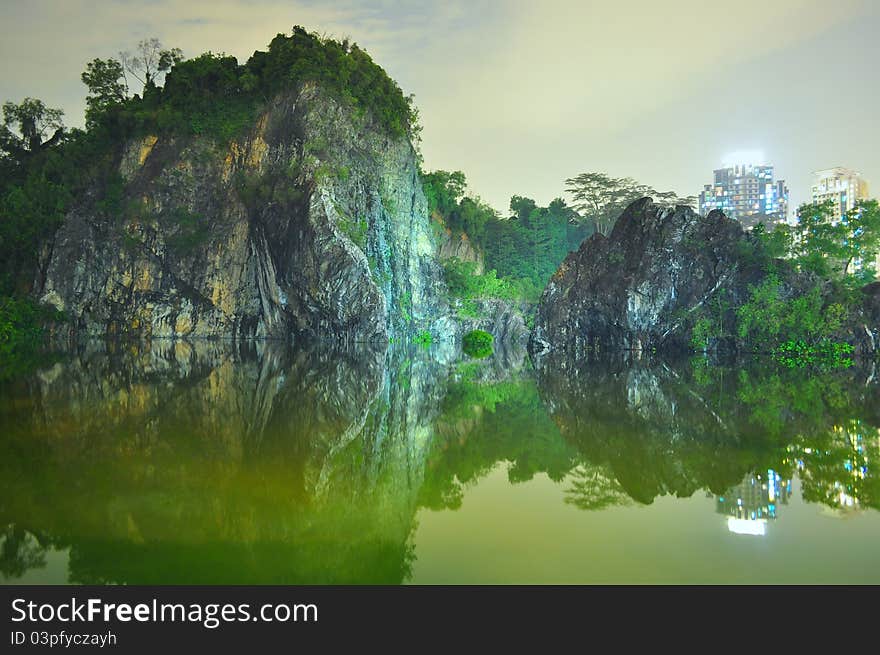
747,193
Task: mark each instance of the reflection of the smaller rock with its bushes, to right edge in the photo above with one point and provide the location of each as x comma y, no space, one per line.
657,428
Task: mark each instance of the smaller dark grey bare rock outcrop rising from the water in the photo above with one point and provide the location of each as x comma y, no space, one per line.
633,289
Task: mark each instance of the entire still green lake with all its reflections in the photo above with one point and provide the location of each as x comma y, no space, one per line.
209,463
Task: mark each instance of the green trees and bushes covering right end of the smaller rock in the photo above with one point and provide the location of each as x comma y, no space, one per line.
811,276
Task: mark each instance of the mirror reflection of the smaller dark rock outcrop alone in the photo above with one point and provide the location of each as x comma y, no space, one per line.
647,425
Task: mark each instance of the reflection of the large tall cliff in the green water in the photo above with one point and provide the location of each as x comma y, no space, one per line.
209,464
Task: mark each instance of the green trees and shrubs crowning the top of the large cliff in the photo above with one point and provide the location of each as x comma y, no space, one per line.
213,95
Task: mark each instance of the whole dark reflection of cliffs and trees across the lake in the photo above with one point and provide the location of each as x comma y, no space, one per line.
259,463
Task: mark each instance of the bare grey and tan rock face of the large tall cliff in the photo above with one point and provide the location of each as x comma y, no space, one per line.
313,223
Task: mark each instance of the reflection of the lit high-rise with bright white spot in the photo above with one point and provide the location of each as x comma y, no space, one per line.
754,502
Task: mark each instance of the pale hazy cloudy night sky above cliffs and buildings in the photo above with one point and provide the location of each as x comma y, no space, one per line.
523,94
